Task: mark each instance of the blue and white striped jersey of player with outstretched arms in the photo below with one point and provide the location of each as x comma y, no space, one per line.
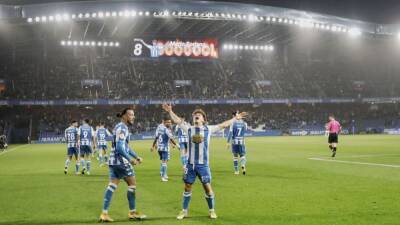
199,142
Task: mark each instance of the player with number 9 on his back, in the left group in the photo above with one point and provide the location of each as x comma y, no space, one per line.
86,140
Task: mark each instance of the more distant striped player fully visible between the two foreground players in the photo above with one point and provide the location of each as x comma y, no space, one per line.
161,142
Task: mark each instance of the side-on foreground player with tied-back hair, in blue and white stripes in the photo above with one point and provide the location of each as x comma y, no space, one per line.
122,157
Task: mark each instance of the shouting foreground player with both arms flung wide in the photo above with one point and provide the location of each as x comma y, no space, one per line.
198,163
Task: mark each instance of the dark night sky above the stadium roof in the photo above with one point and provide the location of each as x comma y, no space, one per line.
378,11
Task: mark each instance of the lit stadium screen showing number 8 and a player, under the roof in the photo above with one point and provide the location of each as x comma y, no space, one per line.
181,48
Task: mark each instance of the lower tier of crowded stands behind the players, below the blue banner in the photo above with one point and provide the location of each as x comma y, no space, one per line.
26,123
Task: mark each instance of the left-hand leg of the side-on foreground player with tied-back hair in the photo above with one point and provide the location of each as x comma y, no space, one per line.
111,187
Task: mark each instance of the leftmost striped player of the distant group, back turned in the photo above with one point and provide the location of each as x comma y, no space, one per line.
71,138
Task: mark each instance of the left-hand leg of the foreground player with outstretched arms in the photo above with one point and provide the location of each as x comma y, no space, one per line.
189,177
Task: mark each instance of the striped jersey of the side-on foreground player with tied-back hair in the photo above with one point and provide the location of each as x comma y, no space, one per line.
120,134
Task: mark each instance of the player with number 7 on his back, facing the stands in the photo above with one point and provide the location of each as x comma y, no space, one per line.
236,140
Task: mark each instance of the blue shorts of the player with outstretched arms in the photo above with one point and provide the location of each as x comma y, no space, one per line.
201,171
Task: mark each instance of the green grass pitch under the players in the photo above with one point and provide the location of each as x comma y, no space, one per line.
282,186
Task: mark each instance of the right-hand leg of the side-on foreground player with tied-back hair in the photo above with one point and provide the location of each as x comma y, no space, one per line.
130,180
